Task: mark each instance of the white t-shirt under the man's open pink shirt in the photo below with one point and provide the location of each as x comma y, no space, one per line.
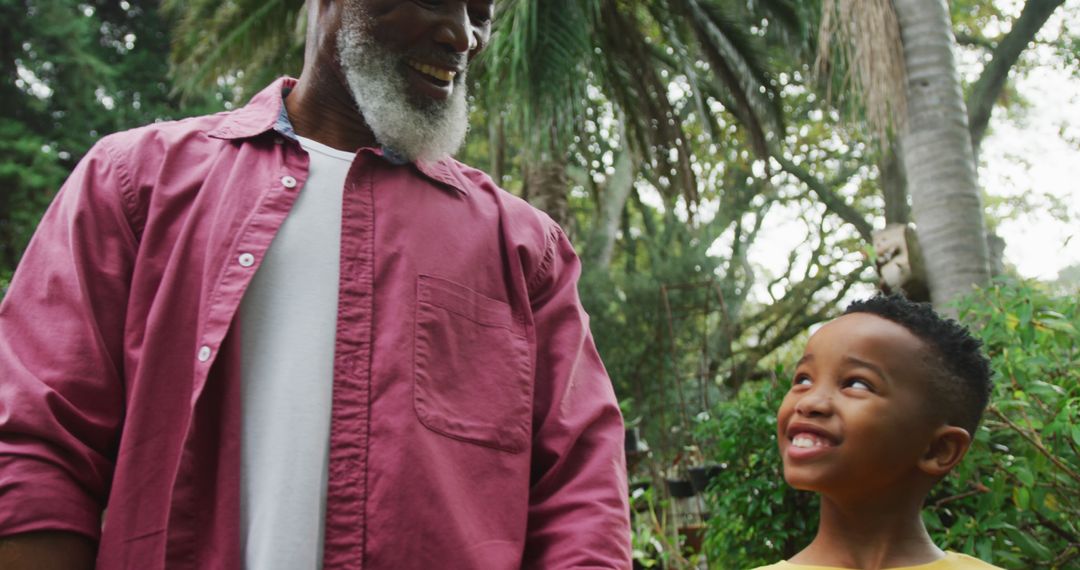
289,320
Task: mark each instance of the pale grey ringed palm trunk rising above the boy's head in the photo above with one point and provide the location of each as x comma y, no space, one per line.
939,159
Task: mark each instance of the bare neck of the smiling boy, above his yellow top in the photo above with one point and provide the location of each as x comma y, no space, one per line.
871,535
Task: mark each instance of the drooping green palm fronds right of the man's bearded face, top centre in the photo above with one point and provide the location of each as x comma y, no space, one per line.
551,62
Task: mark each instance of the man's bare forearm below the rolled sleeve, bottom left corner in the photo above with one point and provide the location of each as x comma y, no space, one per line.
47,551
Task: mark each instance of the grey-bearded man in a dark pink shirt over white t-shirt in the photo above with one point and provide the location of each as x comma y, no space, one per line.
300,335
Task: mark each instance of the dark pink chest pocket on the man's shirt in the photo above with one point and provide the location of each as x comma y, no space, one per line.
472,373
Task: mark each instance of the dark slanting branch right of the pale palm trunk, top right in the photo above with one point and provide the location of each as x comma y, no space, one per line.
988,89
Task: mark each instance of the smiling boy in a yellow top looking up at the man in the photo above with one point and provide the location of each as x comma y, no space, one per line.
883,404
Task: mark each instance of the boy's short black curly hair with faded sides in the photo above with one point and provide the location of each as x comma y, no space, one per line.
963,390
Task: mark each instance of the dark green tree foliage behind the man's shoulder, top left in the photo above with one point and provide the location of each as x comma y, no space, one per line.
74,73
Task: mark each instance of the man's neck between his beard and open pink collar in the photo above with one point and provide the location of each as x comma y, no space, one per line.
321,108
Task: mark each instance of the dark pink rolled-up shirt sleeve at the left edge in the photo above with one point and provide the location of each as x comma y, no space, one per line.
62,397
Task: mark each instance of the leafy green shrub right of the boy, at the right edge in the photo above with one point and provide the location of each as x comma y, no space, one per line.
1016,499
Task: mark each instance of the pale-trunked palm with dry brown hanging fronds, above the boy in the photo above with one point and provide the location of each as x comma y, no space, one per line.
901,58
